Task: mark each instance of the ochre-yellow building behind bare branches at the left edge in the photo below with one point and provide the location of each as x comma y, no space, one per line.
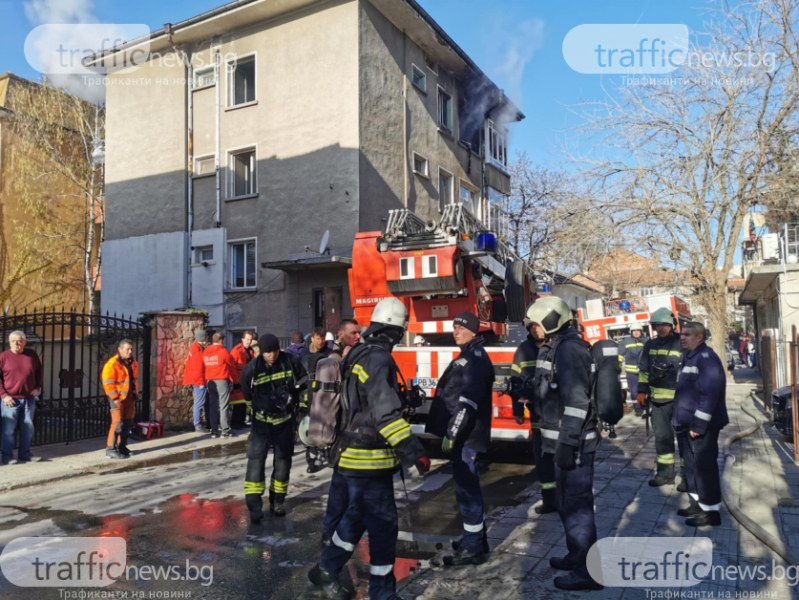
56,188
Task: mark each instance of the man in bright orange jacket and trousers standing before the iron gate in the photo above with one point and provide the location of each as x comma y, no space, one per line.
120,383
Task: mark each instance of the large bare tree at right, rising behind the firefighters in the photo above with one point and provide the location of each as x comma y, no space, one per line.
691,156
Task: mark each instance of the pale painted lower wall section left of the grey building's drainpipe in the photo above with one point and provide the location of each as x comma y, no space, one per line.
143,273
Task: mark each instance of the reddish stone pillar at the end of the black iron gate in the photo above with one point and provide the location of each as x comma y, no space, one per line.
173,334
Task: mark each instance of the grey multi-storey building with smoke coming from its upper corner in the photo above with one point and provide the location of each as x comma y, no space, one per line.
253,141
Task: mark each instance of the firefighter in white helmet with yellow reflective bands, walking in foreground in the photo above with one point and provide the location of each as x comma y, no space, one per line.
374,439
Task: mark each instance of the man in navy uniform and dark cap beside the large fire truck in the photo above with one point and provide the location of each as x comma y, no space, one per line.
461,416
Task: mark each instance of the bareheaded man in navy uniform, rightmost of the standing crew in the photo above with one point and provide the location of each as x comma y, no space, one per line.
700,413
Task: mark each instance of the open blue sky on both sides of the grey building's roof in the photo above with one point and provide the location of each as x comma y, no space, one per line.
518,43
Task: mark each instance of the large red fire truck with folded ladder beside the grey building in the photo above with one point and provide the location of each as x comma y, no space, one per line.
438,270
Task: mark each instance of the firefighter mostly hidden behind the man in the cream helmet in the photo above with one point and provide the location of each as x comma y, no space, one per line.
524,394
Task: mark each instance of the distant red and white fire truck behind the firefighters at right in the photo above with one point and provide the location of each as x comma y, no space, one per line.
612,318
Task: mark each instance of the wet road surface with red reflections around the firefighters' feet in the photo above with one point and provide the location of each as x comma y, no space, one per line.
185,515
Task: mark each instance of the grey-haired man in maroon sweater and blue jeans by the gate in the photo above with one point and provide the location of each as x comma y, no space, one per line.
21,378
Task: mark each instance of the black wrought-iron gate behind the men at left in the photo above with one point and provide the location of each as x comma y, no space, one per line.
73,348
